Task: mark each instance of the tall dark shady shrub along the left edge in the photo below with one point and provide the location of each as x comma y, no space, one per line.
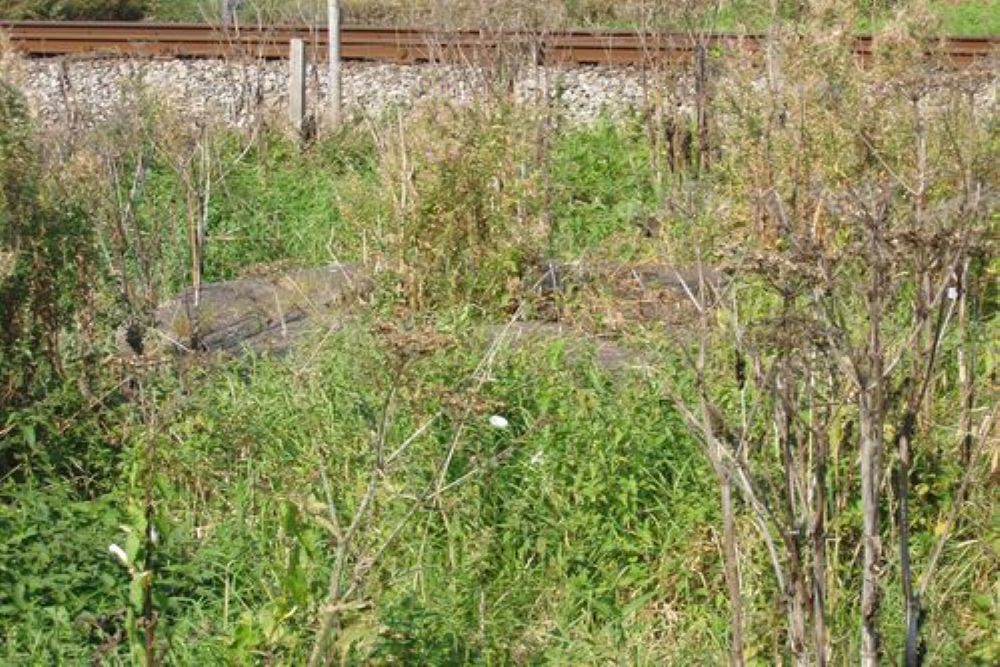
47,265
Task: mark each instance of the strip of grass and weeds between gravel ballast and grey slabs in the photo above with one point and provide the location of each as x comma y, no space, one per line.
338,201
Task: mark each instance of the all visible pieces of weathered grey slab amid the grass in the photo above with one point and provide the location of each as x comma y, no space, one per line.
270,314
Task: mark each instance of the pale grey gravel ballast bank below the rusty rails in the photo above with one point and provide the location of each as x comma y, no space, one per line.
239,94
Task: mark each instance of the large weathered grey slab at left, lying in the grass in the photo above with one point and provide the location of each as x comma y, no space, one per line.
256,314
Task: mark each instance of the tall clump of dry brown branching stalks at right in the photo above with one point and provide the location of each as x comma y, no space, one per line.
835,253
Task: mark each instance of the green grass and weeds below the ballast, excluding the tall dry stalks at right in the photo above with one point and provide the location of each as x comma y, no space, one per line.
581,530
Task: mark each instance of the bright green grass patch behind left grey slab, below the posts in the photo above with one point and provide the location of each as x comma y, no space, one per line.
274,202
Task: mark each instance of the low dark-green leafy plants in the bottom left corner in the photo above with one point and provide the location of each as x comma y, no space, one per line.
61,596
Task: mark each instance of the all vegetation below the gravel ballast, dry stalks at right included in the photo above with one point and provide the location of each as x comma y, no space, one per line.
354,501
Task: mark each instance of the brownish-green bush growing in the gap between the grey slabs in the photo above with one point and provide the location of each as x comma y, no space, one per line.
467,195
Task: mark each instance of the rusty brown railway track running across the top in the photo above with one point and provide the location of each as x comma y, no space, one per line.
579,47
